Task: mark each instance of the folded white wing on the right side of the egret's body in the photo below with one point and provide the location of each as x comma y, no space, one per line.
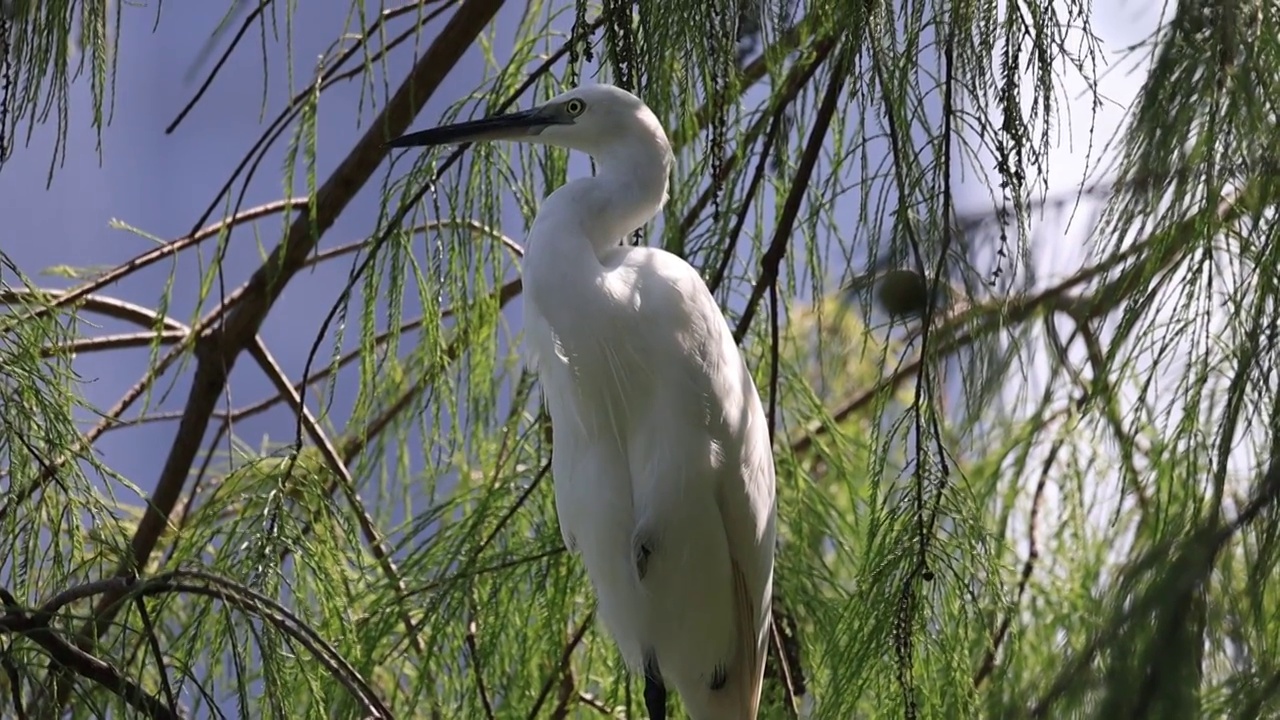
702,467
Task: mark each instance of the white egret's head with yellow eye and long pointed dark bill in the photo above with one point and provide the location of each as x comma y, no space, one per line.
596,120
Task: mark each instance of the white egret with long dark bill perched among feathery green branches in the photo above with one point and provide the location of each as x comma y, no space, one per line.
661,457
